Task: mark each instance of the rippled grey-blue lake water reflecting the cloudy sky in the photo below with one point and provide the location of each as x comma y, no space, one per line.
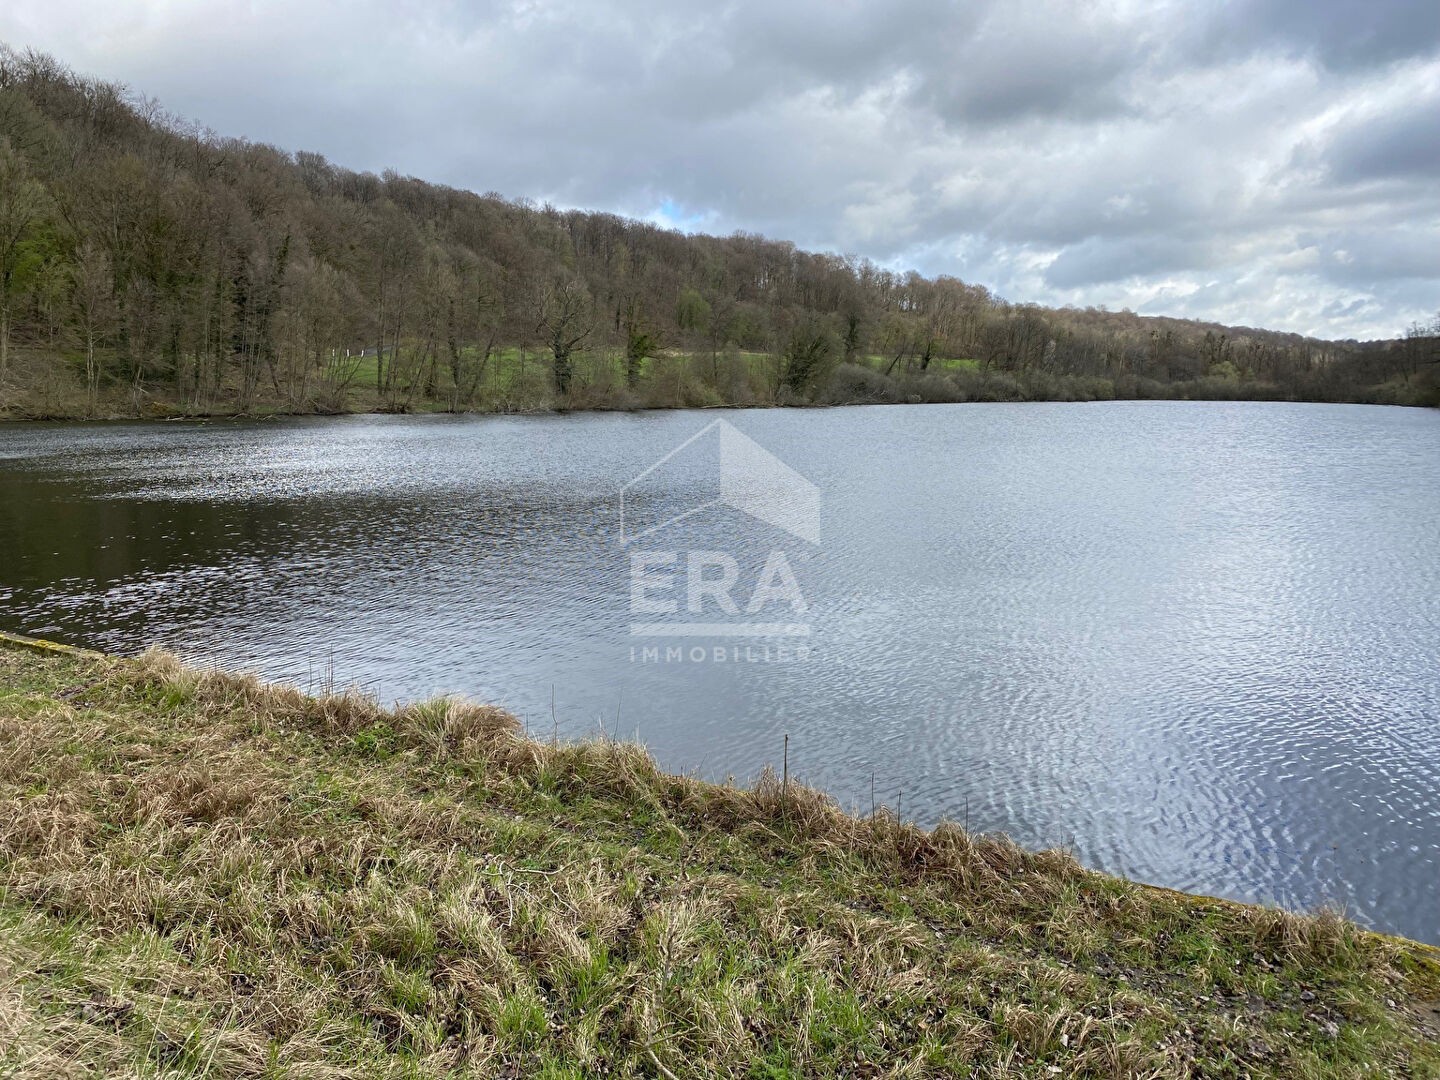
1197,643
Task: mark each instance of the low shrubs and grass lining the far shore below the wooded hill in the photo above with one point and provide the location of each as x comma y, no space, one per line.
47,388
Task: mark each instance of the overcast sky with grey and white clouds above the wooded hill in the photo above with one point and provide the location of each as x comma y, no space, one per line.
1258,162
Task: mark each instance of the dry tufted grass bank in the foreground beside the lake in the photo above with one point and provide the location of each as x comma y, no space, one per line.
207,876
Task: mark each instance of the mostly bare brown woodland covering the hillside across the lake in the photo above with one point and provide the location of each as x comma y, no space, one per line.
150,267
